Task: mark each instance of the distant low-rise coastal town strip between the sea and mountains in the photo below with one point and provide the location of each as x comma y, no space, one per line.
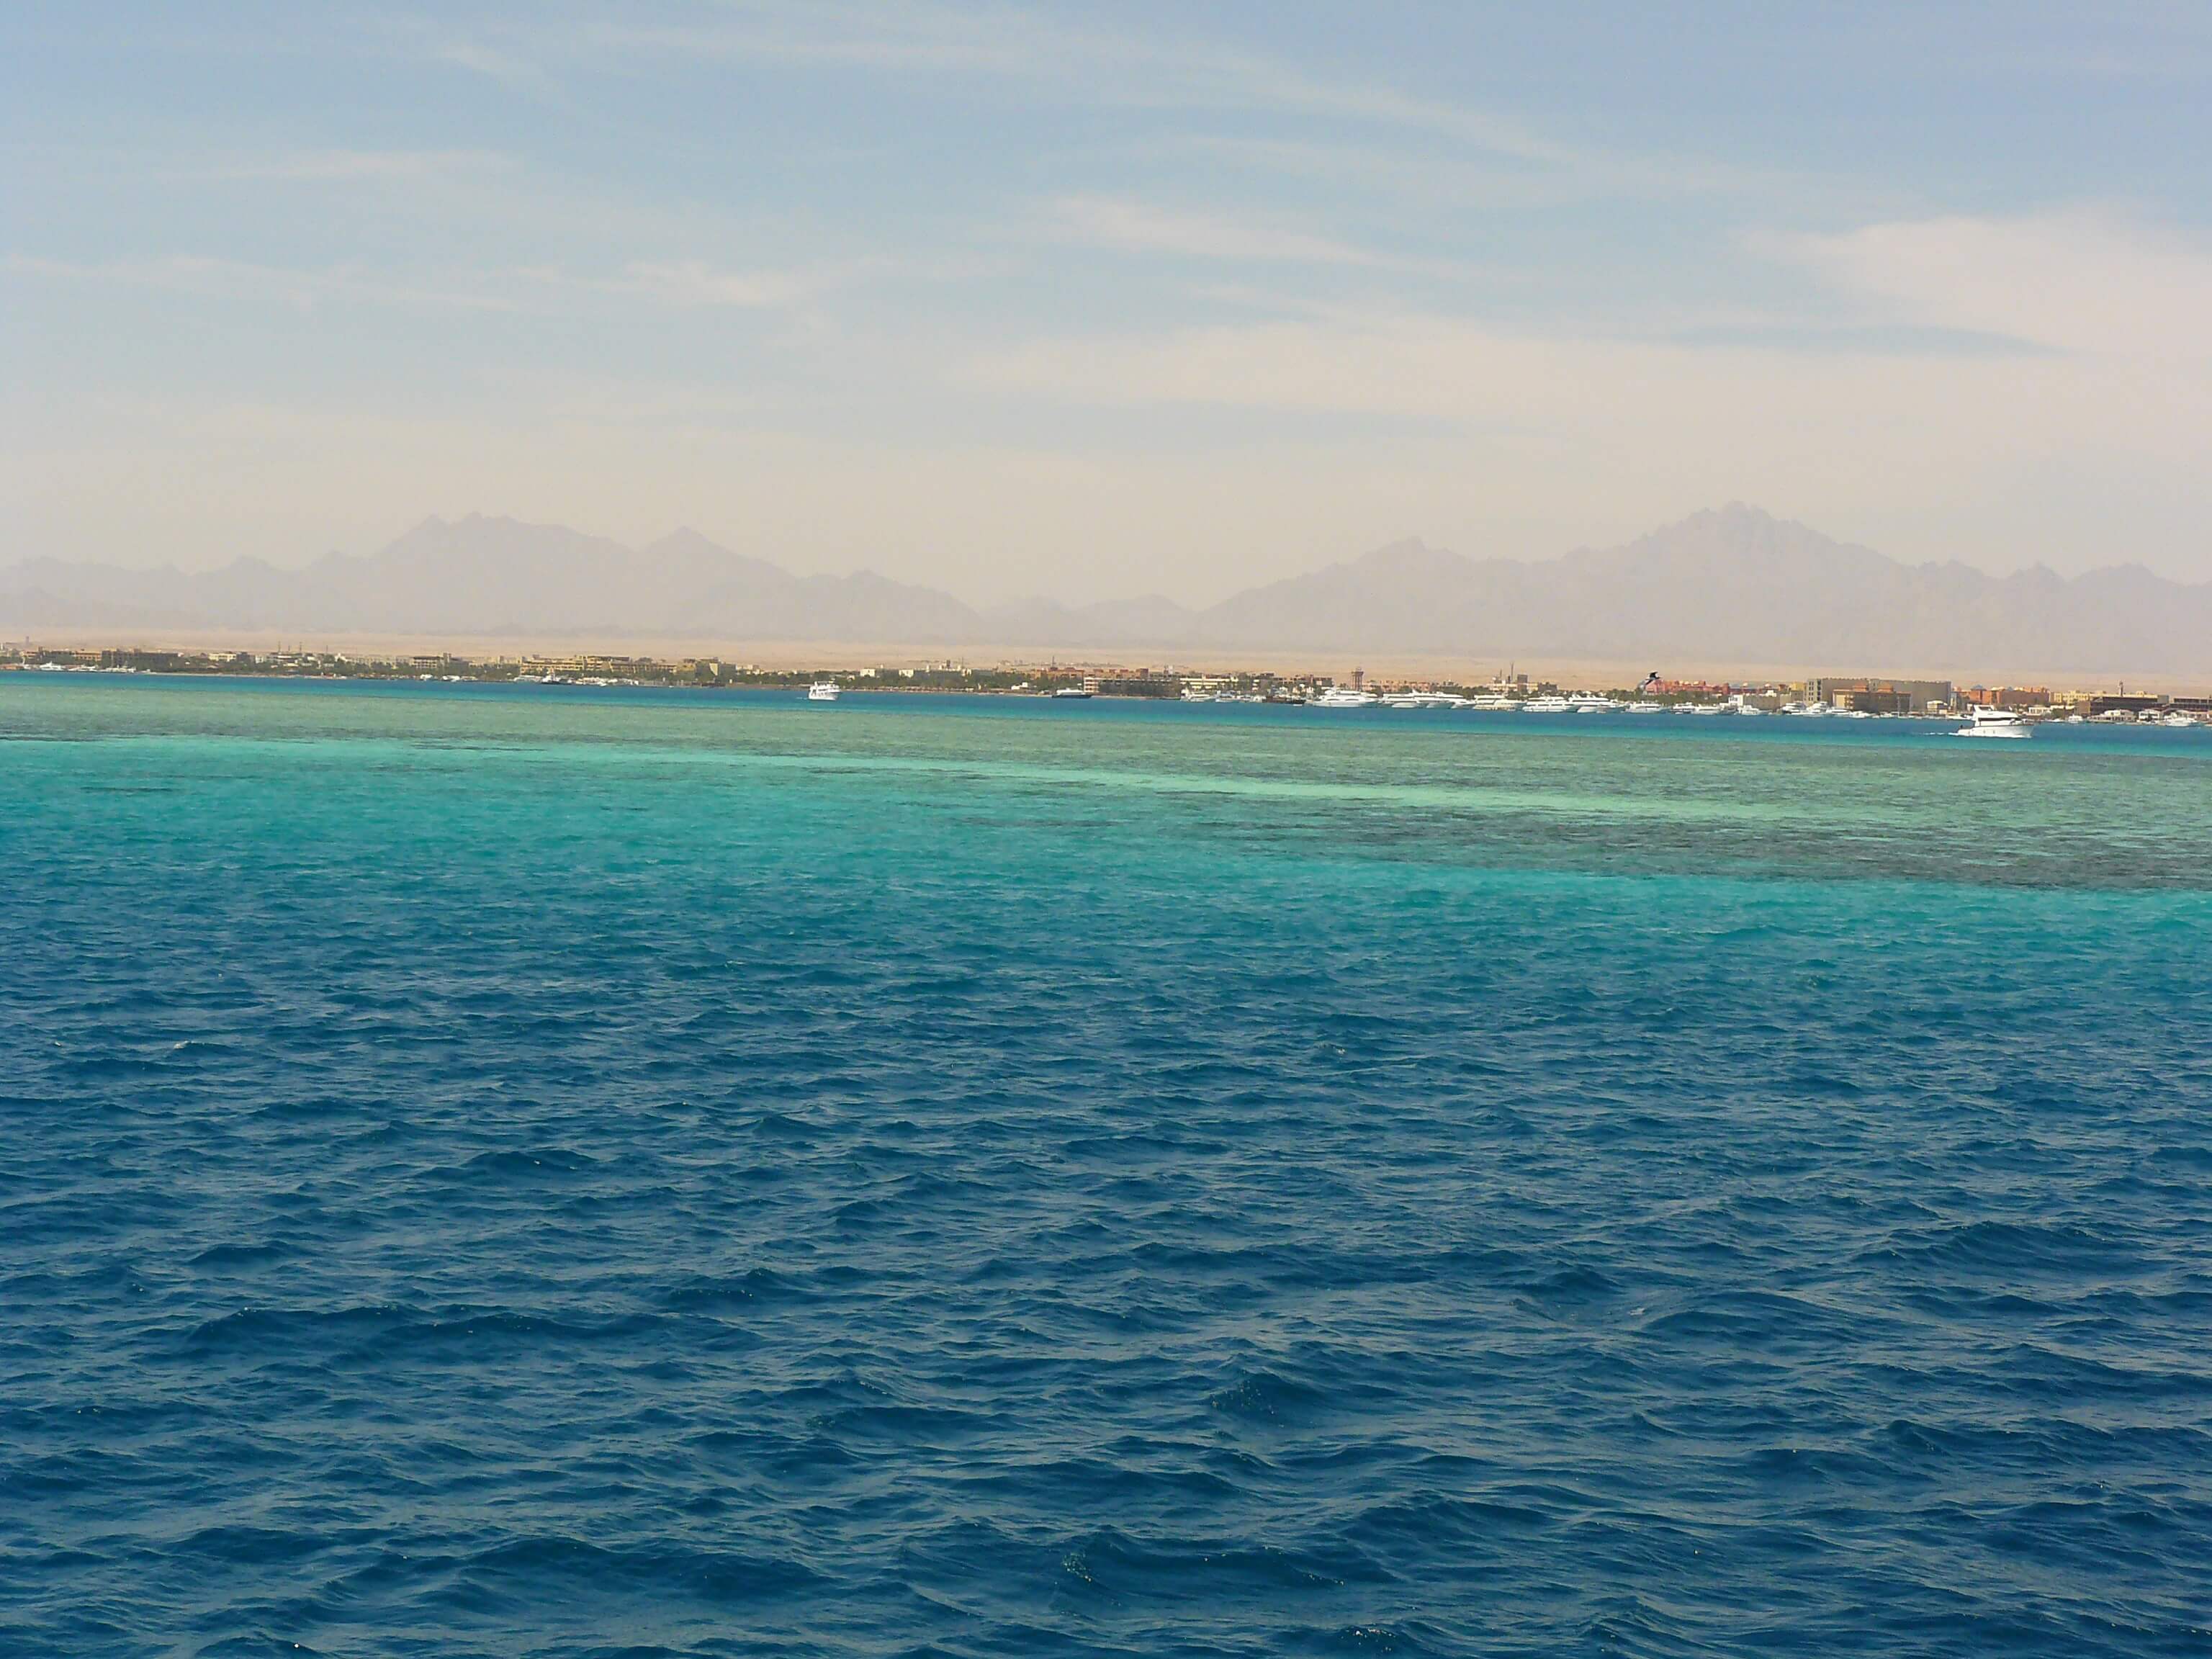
1861,698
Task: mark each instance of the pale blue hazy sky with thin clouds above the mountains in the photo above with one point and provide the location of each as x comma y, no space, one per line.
1107,300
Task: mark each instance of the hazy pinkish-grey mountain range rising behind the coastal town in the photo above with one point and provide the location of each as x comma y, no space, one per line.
1720,587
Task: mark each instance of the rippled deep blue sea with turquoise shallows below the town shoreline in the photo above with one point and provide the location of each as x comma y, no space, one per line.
640,1173
